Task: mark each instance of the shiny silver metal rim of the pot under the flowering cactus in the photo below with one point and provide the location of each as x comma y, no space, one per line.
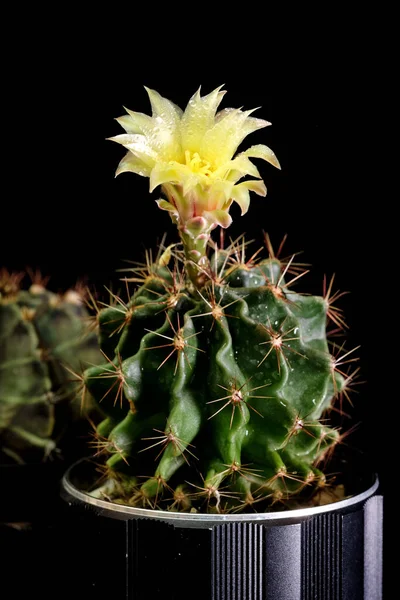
72,495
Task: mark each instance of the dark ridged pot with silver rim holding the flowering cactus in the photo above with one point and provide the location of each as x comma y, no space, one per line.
331,552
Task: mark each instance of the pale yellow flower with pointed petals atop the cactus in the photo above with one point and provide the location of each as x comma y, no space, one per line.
190,154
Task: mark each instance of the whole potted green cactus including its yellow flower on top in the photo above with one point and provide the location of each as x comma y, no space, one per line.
219,379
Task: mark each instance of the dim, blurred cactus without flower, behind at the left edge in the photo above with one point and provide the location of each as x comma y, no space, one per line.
44,346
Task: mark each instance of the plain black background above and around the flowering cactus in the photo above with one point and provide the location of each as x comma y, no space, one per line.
327,91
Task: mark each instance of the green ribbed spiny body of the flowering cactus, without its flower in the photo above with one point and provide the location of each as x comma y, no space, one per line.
215,395
